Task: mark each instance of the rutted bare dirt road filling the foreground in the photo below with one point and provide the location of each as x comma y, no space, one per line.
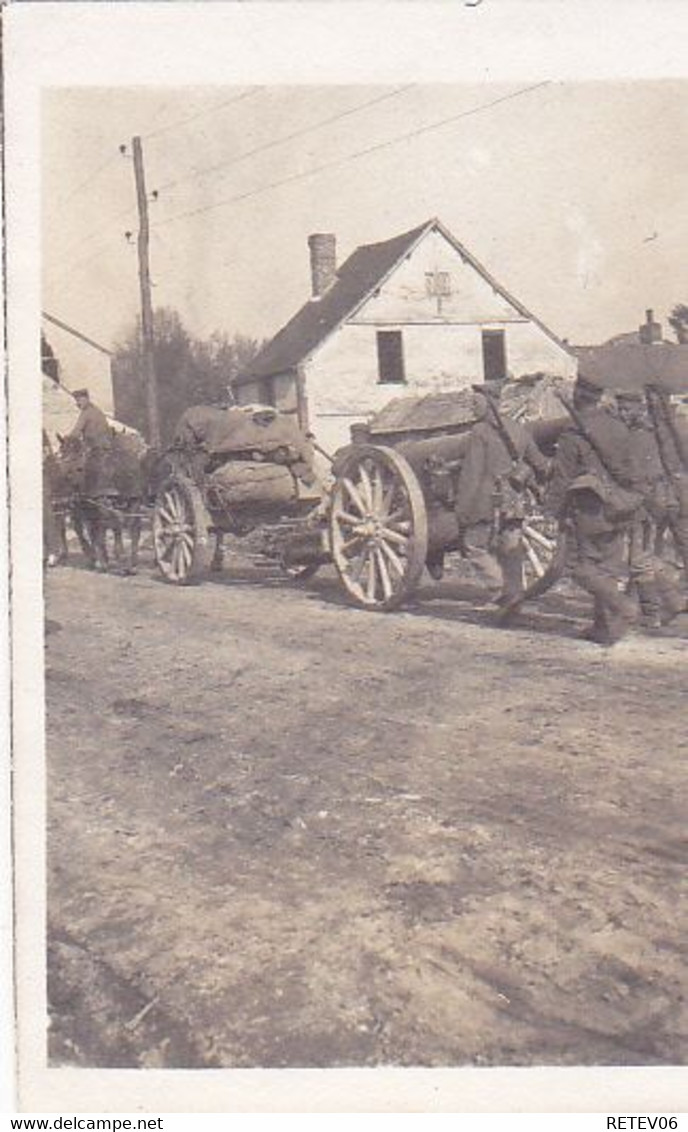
288,833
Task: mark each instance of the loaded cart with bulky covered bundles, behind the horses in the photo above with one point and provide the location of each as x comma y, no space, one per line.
239,473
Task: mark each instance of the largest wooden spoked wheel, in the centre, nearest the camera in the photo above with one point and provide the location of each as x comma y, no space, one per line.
379,528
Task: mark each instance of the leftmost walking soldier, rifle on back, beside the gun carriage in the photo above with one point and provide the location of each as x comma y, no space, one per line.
501,460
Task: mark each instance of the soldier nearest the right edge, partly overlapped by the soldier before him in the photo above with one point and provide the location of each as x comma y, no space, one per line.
659,596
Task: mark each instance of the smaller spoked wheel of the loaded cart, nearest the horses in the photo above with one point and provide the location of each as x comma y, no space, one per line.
180,531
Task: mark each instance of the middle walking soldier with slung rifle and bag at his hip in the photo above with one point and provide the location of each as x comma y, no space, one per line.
595,494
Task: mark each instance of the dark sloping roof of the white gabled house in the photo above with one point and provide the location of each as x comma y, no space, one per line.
357,279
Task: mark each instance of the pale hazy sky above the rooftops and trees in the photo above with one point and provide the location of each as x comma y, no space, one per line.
573,195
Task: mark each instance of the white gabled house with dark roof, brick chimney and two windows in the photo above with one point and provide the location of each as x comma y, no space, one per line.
415,314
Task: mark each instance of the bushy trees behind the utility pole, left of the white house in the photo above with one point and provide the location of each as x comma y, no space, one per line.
190,371
